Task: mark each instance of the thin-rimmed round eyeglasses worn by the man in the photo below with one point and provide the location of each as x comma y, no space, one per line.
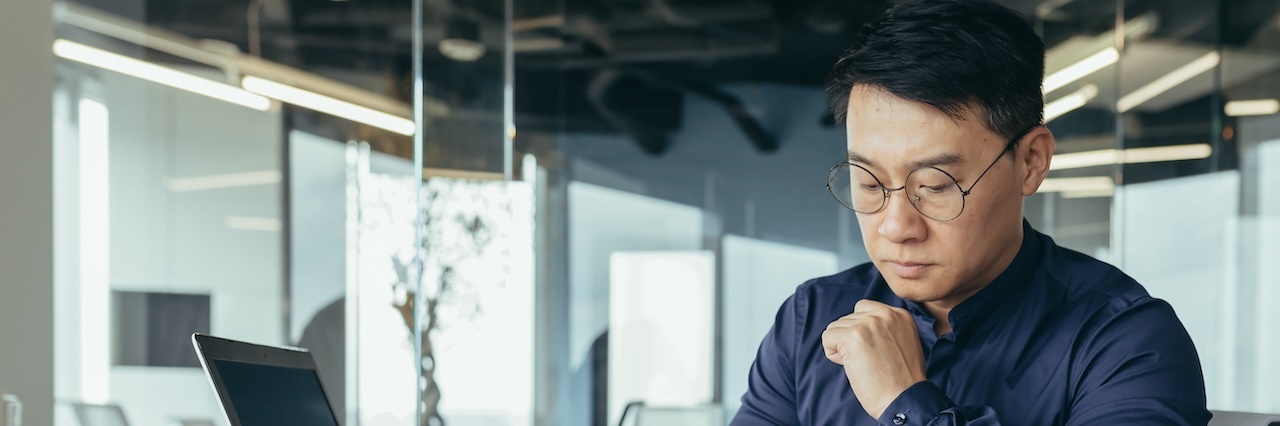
934,193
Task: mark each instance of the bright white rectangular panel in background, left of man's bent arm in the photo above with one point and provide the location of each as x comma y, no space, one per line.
662,329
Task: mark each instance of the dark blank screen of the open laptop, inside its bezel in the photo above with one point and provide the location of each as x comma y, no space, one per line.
272,396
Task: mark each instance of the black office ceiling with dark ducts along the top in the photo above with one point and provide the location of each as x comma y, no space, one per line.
660,44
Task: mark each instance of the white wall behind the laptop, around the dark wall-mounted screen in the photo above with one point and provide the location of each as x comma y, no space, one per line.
168,241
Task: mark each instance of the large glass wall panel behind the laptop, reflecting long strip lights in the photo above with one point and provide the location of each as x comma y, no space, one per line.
225,172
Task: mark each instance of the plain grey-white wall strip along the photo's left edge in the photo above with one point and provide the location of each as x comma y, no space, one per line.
28,208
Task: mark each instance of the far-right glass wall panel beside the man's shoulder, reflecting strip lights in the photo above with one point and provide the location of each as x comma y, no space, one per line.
1197,95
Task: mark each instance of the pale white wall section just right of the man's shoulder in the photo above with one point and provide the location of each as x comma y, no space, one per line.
1181,242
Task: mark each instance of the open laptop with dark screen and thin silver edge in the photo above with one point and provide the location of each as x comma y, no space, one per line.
260,386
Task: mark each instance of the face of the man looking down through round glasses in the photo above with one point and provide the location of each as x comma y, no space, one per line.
922,259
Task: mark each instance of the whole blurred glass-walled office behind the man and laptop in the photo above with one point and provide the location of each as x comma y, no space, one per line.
556,208
